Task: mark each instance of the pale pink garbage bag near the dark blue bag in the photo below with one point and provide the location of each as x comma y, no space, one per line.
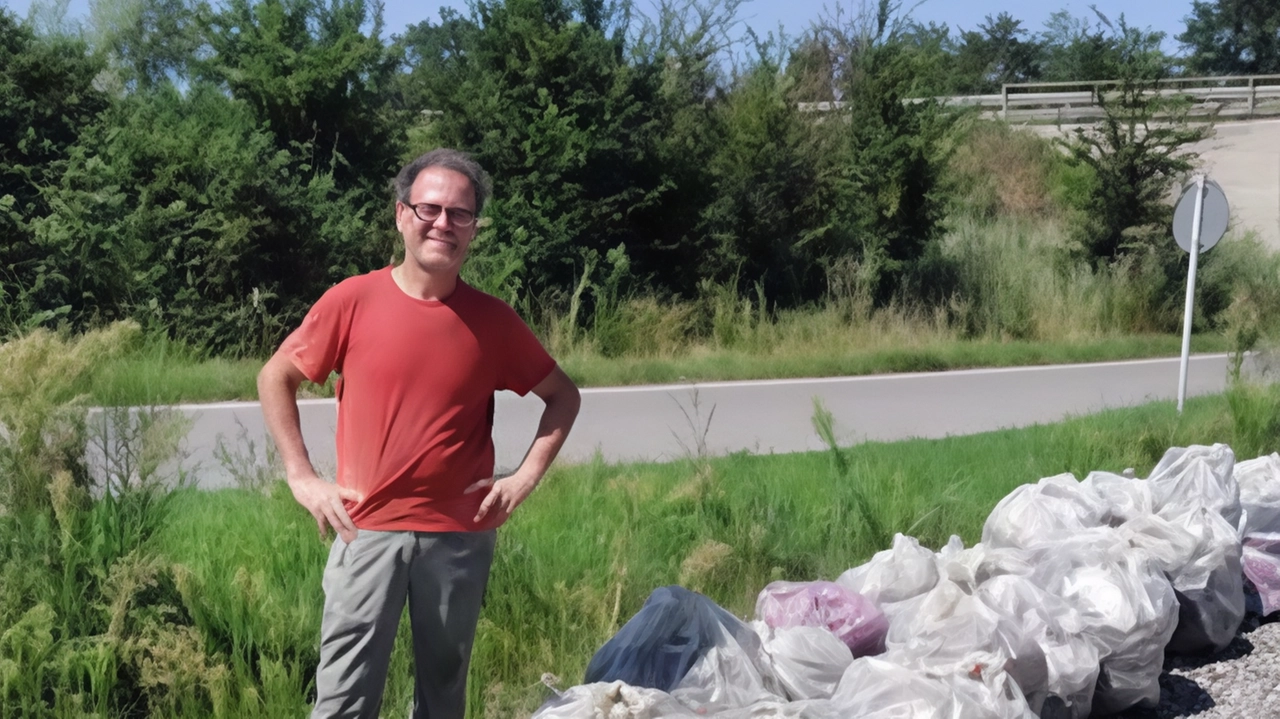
848,615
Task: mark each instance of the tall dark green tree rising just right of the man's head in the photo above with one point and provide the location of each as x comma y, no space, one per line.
545,100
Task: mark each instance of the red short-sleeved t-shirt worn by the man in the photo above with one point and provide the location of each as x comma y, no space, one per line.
415,399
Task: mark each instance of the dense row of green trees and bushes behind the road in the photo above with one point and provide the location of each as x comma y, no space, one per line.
211,171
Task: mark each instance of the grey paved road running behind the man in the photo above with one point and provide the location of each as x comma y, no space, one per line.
671,422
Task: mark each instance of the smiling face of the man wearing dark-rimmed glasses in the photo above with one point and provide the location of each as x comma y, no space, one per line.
437,246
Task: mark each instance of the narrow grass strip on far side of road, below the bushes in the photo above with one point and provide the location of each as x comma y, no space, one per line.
161,373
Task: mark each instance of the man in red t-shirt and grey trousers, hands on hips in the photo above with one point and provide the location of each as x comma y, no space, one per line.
415,506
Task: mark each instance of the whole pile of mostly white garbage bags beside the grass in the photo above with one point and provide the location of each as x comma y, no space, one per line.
1064,610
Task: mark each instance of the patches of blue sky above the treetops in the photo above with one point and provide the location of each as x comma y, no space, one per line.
796,16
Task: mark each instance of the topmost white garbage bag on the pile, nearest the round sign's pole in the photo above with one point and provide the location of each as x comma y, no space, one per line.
1197,477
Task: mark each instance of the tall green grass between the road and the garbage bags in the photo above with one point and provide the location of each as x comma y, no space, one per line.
208,604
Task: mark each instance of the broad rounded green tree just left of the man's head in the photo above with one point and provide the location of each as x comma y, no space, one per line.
180,212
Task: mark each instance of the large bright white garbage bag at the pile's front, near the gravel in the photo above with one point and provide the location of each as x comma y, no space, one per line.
1127,606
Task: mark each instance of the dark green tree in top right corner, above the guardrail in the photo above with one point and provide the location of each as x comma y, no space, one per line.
1233,38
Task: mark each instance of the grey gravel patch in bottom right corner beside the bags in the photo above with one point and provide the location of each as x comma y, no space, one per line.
1240,683
